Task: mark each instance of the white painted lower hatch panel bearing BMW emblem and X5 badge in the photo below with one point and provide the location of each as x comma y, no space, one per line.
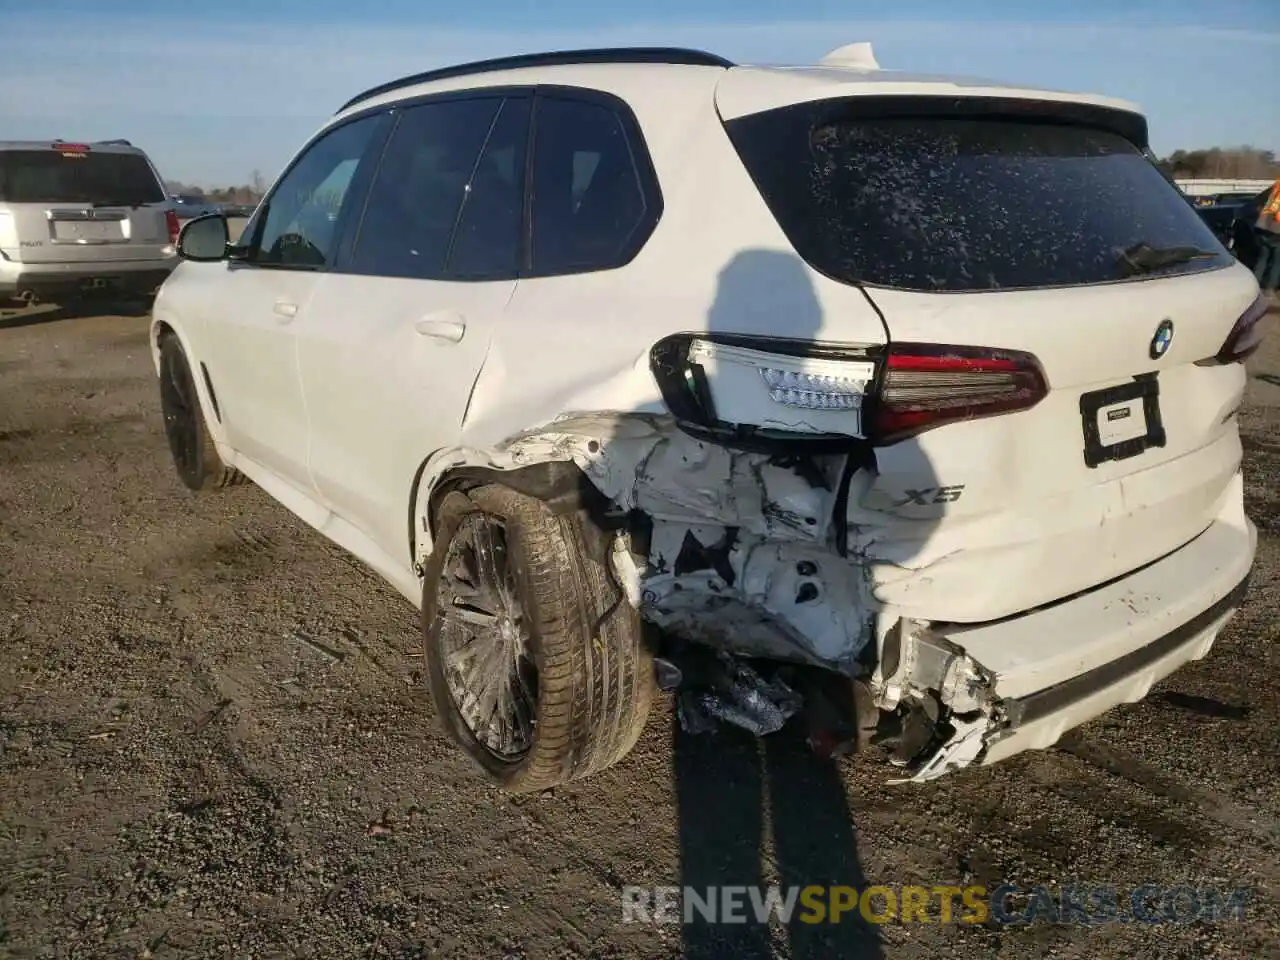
1030,501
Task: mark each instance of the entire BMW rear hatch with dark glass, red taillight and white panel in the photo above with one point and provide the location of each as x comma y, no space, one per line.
1049,415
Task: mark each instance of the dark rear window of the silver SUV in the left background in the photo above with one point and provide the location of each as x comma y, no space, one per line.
51,177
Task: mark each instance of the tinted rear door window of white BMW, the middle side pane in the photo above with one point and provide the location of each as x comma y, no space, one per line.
418,195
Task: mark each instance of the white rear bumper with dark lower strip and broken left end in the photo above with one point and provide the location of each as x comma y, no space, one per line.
1052,670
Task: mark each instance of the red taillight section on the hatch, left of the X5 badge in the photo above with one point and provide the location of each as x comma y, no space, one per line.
927,386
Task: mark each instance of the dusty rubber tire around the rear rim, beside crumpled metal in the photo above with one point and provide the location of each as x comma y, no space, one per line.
595,674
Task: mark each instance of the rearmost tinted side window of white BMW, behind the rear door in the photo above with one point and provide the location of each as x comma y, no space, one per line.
589,199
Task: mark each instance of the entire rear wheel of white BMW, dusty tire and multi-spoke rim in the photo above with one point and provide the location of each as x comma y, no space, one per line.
534,657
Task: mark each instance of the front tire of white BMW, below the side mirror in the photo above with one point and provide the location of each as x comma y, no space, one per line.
190,444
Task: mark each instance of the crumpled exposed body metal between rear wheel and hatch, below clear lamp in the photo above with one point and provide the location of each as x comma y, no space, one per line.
740,554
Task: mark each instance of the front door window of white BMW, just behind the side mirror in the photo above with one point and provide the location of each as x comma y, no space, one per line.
301,226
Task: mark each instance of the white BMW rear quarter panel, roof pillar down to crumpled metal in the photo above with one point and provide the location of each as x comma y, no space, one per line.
742,550
